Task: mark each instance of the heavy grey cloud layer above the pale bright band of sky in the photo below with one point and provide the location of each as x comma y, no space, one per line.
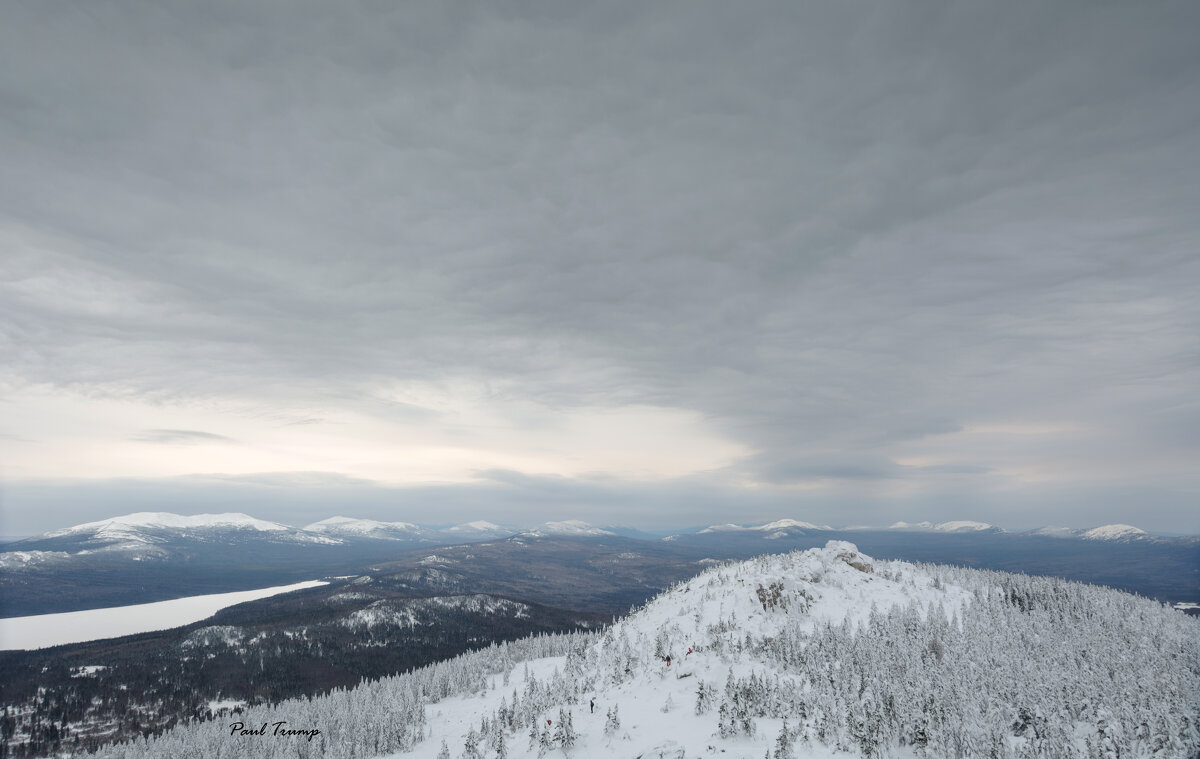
833,230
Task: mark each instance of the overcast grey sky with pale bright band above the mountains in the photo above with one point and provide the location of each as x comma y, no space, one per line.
663,264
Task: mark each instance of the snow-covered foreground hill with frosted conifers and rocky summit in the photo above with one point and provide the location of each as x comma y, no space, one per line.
819,654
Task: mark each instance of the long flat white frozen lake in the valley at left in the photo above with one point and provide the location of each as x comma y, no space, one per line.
55,630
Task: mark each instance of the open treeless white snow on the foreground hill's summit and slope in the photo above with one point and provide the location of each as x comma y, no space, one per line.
657,704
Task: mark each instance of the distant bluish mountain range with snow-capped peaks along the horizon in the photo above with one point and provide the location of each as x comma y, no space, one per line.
155,557
